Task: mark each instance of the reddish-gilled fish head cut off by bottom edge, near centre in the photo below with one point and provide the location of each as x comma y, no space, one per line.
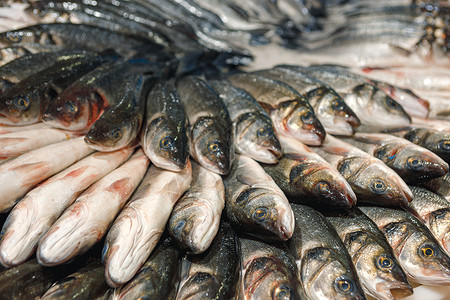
269,278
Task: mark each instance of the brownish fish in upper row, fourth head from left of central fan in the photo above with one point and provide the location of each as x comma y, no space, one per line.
290,112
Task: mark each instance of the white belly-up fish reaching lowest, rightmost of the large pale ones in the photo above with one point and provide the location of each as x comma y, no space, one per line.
139,226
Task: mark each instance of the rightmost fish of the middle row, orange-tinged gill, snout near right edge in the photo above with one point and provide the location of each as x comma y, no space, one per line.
413,163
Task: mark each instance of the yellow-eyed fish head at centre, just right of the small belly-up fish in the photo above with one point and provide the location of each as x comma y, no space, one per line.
263,214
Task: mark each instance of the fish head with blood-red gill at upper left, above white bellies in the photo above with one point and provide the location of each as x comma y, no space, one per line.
76,109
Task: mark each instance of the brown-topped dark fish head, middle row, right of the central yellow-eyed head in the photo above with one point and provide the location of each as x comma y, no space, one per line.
322,183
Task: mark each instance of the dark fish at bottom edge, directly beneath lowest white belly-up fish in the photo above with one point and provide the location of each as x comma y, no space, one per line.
156,277
